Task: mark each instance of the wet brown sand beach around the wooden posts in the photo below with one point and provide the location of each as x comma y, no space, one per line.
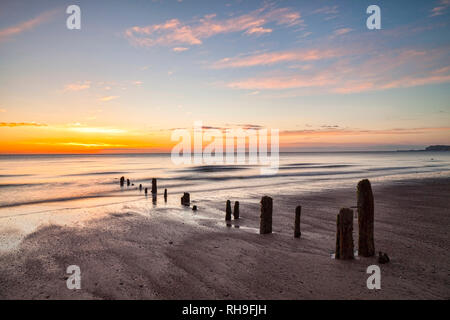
173,253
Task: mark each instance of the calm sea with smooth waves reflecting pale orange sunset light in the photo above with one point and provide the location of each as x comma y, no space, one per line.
64,180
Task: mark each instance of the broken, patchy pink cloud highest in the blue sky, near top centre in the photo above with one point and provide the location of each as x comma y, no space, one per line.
173,31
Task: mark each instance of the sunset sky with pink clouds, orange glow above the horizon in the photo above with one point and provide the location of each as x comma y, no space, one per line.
136,70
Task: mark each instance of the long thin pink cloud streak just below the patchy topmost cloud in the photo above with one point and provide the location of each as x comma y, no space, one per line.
271,58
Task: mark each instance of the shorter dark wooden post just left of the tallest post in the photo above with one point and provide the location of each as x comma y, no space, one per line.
344,234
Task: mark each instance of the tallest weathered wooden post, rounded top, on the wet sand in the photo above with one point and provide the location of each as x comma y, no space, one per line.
365,203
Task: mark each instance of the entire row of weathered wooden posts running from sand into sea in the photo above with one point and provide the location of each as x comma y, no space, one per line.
344,221
